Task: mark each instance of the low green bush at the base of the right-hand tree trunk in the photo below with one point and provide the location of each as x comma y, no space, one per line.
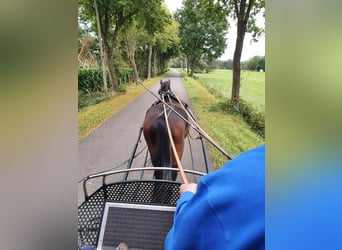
254,118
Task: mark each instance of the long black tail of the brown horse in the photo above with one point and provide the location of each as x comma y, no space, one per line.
161,153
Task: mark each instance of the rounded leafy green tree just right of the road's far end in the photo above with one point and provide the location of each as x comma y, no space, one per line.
203,26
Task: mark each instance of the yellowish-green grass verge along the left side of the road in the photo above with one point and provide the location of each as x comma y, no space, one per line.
92,116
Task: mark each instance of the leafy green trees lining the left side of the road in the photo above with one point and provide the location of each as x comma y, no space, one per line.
131,30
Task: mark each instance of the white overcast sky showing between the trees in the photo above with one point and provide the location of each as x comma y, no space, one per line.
249,49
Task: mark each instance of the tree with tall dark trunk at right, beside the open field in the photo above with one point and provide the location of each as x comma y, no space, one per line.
244,12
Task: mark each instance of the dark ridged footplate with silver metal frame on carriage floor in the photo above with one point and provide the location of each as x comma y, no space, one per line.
139,226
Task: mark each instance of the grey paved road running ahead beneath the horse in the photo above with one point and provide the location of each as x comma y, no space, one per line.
112,142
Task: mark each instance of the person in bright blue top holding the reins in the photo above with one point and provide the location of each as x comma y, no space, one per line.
226,210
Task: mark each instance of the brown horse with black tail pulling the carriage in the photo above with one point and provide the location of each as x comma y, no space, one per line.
156,134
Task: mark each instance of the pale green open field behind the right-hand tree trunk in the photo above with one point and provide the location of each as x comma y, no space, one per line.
252,87
